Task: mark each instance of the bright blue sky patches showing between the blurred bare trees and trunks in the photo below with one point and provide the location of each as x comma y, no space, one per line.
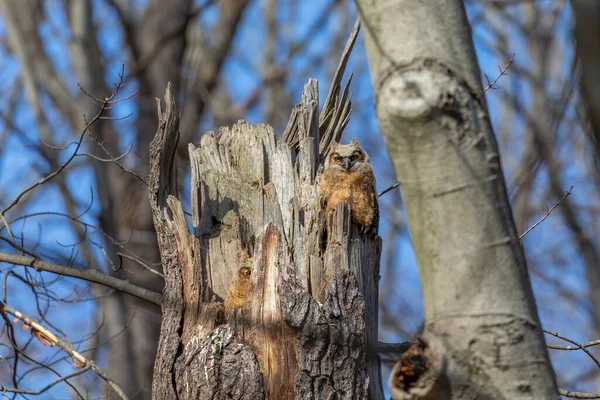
19,166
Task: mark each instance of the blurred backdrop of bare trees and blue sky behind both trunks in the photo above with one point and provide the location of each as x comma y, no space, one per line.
223,66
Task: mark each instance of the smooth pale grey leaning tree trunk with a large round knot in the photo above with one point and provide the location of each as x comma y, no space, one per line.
431,110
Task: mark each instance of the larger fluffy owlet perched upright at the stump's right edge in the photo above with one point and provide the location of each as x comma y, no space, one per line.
348,177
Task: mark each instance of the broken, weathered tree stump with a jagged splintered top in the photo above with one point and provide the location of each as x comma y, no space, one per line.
254,307
